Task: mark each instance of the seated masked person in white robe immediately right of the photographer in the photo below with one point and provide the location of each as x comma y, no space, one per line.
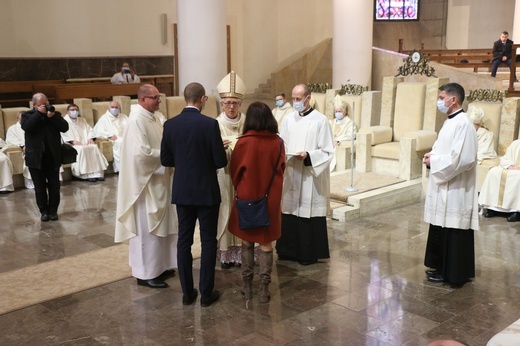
90,163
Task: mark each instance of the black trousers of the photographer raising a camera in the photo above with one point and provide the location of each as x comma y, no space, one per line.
47,185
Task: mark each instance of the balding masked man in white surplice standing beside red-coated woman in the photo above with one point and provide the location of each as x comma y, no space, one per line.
305,199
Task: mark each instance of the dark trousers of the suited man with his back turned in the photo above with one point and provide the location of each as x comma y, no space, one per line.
208,219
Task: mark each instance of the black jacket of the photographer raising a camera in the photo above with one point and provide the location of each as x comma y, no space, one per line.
42,134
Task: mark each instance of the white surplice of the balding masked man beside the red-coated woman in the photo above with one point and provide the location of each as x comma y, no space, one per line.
306,189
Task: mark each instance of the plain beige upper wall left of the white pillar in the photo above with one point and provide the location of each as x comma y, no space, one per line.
75,28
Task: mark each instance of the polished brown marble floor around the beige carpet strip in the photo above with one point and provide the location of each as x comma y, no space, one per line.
372,291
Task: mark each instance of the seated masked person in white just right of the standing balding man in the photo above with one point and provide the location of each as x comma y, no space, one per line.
343,128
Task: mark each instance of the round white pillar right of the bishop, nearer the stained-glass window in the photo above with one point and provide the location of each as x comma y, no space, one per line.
352,42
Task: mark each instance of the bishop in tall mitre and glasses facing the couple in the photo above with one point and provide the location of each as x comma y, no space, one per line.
231,90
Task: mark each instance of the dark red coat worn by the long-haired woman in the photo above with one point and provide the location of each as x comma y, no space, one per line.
251,168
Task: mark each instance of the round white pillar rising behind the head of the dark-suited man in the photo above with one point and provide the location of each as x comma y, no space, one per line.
202,43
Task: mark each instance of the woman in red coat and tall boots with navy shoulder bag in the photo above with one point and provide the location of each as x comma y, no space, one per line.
252,164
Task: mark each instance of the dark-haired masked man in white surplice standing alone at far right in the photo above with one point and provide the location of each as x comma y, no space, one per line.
451,201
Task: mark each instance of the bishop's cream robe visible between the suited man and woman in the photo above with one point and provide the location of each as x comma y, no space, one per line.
229,129
